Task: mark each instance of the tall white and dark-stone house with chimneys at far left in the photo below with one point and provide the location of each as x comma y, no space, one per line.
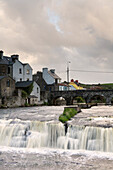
16,69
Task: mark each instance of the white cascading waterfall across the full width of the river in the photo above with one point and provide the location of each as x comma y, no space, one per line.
35,134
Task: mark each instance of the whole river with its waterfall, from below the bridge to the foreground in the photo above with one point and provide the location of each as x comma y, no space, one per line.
33,138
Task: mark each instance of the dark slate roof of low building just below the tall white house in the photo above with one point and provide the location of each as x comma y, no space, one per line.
23,84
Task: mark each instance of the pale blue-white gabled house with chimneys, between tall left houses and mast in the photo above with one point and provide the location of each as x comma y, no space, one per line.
50,76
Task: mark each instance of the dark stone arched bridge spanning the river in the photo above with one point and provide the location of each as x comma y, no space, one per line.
87,95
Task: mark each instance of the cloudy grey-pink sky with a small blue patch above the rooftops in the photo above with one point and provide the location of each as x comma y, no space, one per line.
52,33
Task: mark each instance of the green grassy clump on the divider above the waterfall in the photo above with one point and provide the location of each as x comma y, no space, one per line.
67,114
